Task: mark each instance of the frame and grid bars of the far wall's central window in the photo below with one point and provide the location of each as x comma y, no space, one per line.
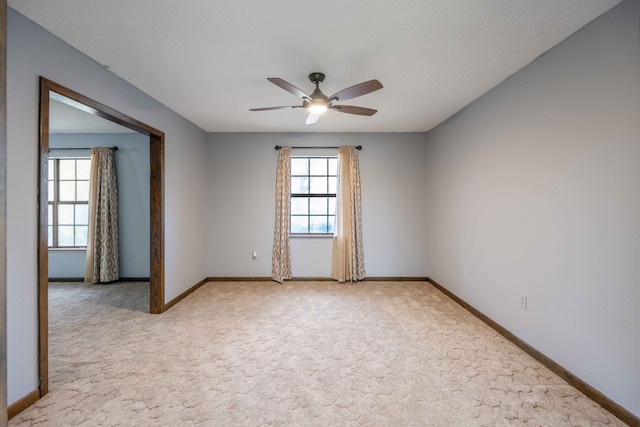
309,196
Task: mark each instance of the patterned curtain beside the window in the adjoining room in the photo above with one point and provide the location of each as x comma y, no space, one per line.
102,241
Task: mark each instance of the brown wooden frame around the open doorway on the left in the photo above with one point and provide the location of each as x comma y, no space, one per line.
156,272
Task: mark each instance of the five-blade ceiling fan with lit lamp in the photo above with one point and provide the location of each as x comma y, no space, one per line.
317,103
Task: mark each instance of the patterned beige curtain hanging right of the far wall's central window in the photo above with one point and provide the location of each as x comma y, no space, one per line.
348,254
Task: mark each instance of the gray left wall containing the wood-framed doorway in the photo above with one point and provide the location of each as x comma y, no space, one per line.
33,52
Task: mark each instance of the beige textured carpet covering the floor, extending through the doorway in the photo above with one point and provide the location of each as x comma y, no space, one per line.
299,354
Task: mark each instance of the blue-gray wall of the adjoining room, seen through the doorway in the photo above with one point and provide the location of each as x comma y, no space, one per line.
132,170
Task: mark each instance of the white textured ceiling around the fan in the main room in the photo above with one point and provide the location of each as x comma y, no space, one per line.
209,60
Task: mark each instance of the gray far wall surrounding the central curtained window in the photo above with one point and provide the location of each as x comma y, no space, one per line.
241,197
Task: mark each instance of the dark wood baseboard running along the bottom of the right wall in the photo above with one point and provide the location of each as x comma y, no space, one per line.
553,366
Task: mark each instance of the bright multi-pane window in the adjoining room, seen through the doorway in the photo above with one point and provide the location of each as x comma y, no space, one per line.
68,202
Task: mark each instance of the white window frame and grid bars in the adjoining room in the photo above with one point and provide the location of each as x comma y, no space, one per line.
54,202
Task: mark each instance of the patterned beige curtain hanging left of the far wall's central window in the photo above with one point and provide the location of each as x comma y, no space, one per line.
281,257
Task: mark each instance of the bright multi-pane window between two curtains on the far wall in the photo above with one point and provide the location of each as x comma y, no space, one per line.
313,194
